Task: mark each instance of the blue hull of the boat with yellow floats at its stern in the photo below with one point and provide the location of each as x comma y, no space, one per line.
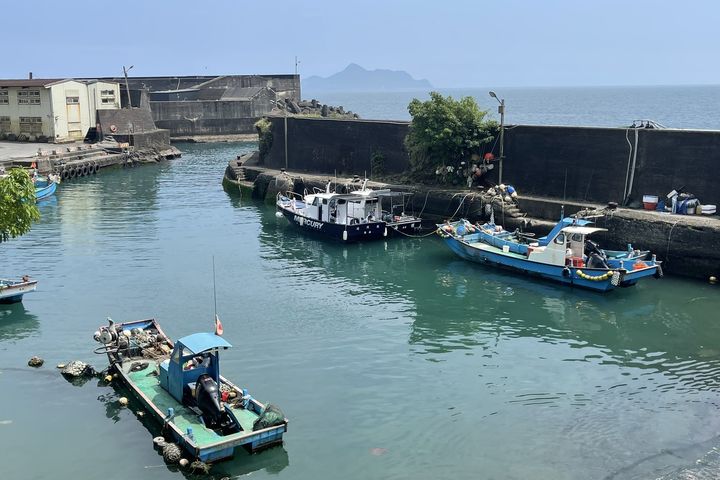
586,278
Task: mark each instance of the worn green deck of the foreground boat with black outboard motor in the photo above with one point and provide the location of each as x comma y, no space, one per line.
148,383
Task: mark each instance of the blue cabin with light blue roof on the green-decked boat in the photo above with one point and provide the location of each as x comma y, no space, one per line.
192,356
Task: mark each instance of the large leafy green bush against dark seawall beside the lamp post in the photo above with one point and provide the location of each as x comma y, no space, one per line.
445,132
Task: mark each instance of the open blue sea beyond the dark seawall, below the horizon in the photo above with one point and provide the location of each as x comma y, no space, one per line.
691,107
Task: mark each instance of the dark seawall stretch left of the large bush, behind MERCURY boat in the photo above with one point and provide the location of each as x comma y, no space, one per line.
346,146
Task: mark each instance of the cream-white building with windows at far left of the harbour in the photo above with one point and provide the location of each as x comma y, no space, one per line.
53,109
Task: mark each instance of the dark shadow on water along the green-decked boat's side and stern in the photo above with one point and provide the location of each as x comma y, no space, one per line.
273,460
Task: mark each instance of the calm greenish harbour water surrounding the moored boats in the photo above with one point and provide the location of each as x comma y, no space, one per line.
391,359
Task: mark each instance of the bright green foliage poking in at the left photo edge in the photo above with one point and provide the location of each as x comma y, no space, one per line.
17,204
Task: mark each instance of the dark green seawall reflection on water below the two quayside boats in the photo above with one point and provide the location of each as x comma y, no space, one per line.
459,306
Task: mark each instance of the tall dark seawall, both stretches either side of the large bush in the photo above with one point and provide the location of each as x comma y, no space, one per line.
537,158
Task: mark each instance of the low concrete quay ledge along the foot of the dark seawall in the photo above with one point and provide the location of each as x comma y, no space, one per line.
688,245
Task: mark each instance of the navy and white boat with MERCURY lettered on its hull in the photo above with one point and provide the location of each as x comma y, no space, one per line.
348,217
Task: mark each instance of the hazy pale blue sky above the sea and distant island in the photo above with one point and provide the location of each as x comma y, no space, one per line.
450,43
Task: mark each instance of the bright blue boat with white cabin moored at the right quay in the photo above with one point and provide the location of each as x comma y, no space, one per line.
565,255
